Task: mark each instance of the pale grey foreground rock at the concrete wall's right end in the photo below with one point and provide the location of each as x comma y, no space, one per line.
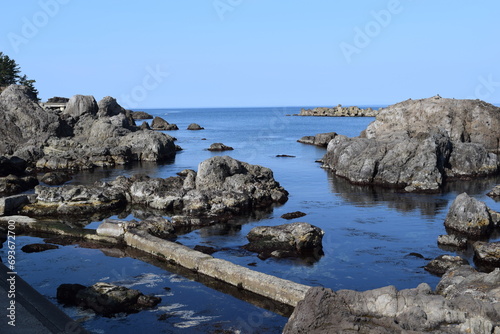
465,301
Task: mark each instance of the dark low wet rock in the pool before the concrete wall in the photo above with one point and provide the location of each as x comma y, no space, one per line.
105,299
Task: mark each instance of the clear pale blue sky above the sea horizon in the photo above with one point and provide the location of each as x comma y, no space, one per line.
221,53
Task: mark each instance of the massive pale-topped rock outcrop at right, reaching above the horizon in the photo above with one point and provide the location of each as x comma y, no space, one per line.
418,144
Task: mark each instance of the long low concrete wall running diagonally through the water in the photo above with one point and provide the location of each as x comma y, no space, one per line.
123,233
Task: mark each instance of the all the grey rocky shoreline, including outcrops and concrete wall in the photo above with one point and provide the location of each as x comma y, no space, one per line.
413,146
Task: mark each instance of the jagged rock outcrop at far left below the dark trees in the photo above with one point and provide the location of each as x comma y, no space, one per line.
84,135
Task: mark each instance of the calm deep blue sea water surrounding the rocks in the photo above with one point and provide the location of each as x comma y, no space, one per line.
369,231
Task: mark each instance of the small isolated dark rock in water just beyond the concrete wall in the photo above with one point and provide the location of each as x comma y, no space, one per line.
288,240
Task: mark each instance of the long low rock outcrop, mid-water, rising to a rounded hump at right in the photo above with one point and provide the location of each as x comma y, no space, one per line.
223,187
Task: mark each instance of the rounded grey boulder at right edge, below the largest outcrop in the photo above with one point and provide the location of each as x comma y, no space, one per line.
469,216
